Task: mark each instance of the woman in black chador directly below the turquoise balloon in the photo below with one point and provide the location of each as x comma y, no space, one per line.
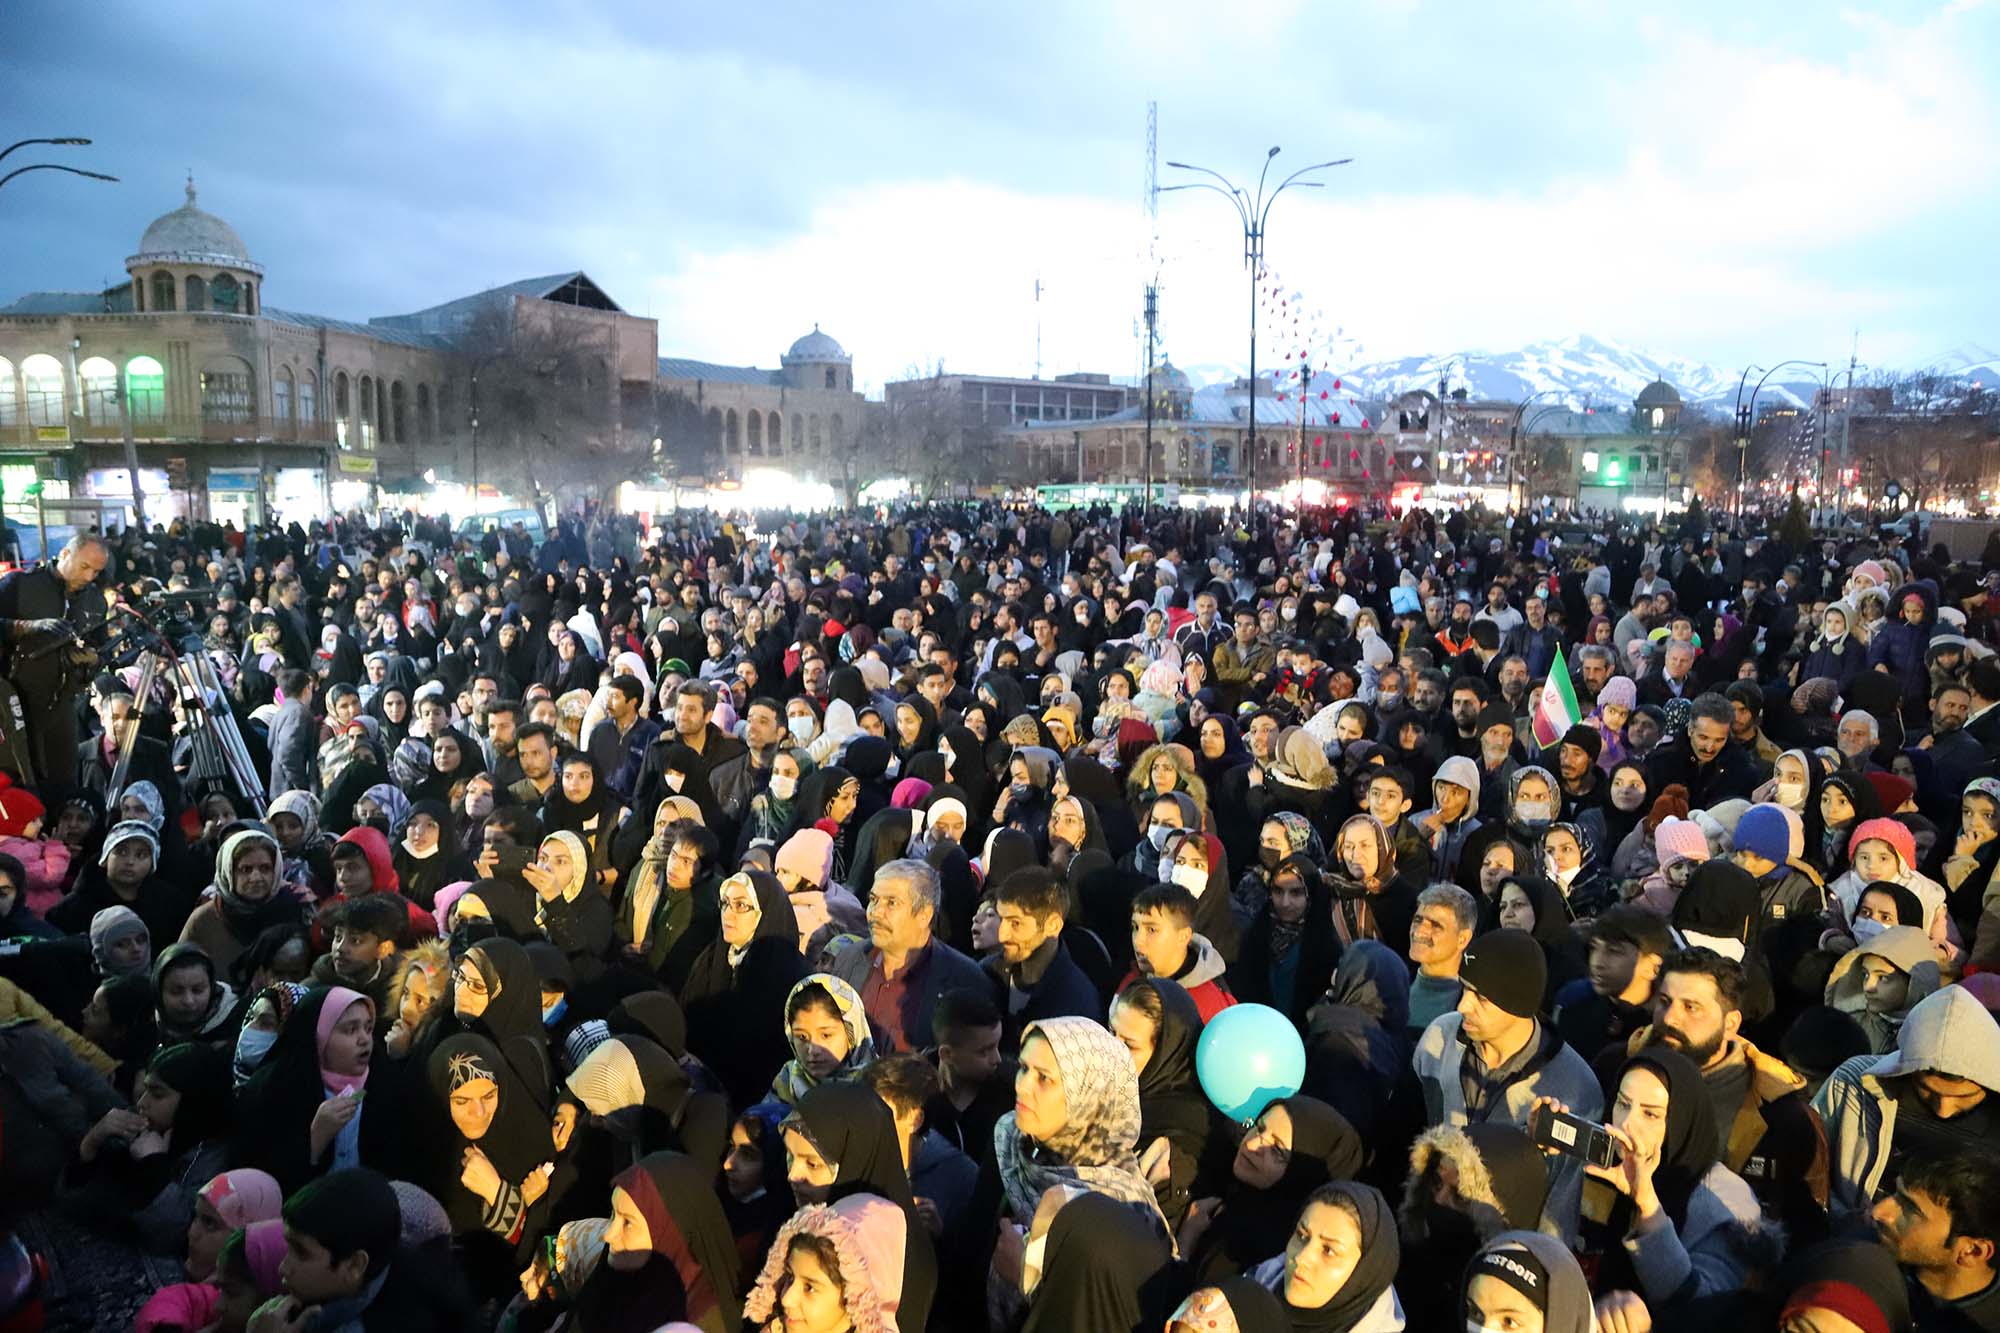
1295,1146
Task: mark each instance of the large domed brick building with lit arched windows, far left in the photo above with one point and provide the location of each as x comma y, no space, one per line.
243,411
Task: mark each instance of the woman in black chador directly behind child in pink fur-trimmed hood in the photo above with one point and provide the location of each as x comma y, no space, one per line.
843,1144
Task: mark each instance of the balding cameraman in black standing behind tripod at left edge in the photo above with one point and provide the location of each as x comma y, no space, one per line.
35,611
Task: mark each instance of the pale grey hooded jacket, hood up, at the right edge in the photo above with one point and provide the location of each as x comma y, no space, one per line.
1949,1034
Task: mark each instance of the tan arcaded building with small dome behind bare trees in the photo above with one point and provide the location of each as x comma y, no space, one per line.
803,419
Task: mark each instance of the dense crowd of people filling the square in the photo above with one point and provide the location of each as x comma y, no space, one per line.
811,924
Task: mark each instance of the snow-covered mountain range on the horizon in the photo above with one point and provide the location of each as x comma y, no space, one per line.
1585,369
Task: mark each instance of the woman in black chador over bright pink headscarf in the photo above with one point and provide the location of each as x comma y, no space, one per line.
303,1112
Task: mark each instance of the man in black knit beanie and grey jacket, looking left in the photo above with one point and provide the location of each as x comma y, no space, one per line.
1493,1058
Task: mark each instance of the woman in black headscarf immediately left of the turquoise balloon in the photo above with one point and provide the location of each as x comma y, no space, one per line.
1159,1026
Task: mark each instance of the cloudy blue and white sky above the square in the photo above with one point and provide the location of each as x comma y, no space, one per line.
1713,181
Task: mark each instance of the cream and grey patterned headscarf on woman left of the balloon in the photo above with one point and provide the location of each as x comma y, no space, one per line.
1099,1142
